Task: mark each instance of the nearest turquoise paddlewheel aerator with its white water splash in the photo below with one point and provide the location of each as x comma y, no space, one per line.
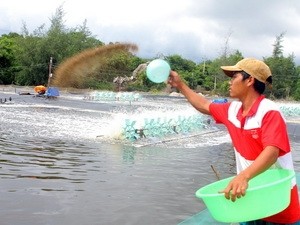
156,123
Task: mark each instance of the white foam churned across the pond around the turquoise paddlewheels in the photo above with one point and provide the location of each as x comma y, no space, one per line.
39,119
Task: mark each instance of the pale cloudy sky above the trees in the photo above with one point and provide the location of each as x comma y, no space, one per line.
194,29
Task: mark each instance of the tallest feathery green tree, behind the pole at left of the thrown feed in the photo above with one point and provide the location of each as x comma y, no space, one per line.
58,42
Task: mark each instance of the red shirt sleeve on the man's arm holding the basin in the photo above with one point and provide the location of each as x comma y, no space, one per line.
274,131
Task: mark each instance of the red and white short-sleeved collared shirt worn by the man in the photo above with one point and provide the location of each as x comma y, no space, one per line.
263,126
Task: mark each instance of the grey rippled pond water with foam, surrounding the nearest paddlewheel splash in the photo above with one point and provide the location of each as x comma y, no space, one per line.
54,169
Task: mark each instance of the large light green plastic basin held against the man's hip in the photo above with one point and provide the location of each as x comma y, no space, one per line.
267,194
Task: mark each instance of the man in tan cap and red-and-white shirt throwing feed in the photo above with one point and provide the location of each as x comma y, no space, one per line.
256,127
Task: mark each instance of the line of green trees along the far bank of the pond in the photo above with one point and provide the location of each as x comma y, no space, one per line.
25,60
